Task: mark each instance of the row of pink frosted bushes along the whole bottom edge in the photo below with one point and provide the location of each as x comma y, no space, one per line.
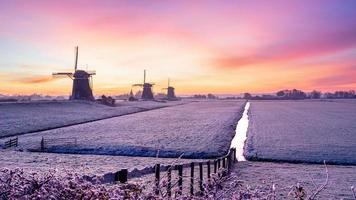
16,184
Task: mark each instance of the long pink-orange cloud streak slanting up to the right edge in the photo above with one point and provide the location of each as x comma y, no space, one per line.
319,45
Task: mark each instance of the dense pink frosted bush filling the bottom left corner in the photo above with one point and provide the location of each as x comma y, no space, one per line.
15,184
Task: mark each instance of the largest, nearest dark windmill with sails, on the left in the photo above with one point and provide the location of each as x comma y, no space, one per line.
82,81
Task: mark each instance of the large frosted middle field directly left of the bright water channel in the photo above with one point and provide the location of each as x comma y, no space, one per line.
199,130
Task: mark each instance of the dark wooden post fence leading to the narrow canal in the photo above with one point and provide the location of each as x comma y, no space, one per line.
212,166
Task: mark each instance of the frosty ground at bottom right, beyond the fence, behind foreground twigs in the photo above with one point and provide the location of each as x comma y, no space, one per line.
285,175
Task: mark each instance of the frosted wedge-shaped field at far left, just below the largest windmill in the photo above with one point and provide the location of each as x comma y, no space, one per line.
21,118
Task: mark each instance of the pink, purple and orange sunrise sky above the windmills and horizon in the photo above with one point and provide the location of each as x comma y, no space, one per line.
220,47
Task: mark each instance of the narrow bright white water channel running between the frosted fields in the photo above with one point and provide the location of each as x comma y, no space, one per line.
241,134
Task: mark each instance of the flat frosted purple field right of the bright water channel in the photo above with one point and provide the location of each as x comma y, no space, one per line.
302,131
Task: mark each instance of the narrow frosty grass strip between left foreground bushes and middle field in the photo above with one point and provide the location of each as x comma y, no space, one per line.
84,164
